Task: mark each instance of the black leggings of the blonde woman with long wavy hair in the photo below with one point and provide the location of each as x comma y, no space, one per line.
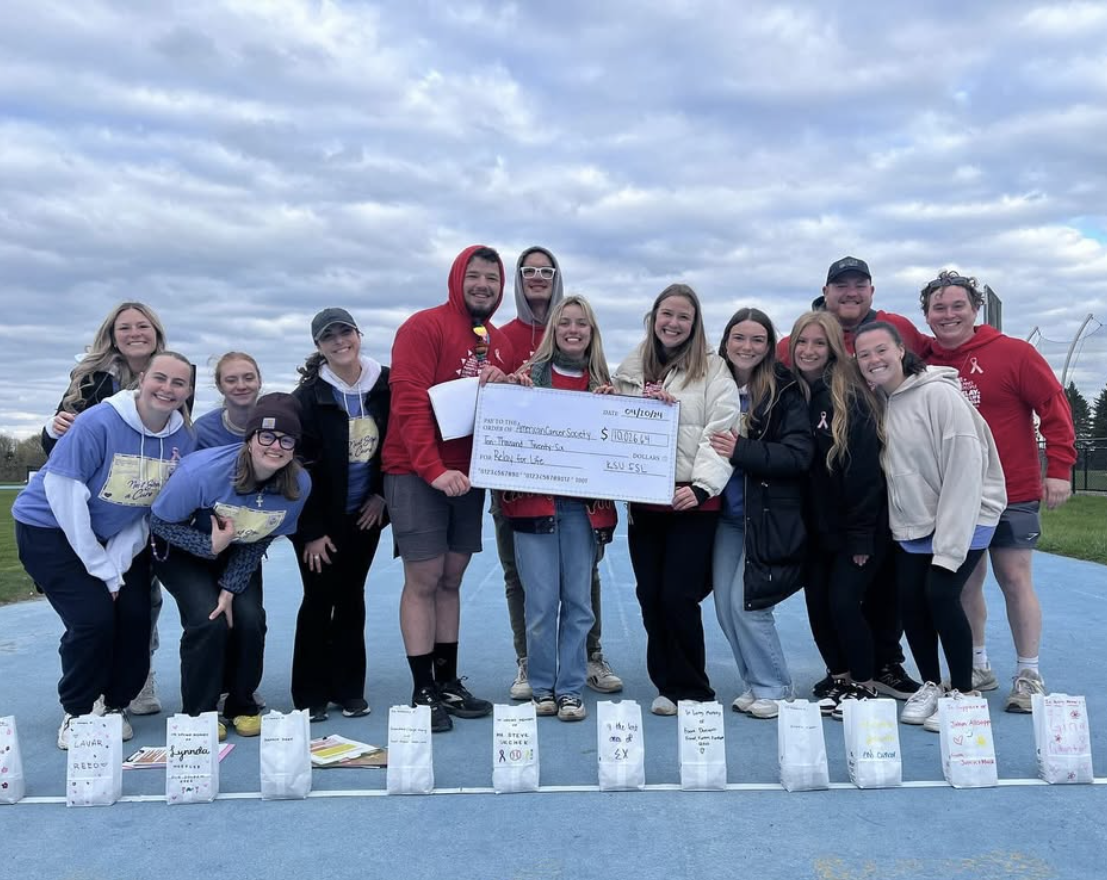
836,587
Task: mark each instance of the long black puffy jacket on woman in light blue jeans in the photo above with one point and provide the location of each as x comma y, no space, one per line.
775,460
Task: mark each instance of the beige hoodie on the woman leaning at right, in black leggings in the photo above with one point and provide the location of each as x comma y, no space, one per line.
944,471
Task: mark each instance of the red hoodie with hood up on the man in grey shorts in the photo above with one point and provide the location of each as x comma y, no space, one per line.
437,346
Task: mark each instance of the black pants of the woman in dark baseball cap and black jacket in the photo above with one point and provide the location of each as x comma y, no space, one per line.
329,653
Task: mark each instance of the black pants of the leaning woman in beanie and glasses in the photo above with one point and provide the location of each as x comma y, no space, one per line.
214,656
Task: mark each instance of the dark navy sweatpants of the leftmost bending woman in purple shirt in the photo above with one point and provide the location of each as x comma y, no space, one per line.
106,648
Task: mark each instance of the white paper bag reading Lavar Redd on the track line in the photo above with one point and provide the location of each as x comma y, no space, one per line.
95,761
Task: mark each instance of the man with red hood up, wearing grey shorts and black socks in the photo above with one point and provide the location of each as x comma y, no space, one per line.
436,513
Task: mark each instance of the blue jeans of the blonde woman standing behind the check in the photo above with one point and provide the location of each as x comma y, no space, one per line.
556,571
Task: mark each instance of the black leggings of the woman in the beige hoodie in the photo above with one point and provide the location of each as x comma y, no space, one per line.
930,598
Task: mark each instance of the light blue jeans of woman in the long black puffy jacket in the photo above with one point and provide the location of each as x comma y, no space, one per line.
752,635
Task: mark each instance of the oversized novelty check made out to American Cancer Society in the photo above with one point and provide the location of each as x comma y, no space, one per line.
575,443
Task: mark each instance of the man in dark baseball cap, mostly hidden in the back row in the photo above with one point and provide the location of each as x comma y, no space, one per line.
849,297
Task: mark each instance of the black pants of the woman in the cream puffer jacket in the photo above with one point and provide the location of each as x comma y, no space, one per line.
671,557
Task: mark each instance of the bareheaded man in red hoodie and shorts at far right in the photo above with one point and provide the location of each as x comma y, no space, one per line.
1008,381
